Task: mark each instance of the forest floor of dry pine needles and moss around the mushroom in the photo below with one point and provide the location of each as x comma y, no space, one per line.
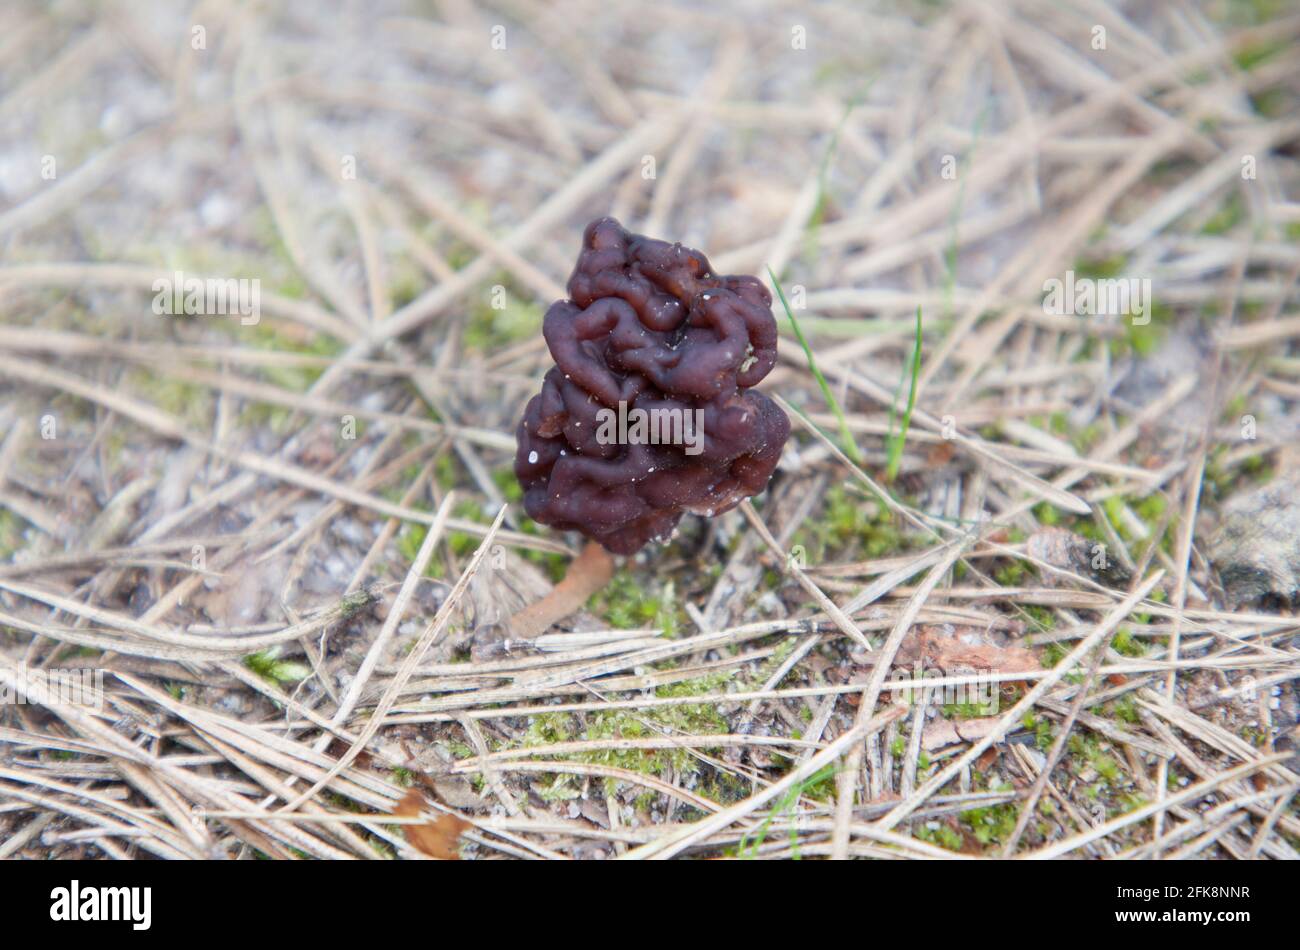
287,533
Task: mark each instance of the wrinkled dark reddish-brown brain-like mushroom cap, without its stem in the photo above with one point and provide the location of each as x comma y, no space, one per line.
649,333
